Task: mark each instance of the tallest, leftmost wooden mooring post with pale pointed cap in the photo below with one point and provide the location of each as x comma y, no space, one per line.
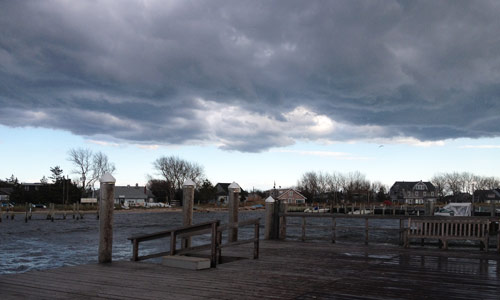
106,218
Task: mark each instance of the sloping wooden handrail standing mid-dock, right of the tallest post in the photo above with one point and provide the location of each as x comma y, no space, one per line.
215,246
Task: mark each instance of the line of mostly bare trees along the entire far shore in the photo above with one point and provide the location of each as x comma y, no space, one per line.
173,172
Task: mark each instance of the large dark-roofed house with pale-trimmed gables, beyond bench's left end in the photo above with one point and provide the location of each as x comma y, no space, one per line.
412,192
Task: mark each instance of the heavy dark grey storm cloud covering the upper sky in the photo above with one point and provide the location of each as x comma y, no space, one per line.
233,72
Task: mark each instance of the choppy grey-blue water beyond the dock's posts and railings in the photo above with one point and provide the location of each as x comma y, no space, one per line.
41,244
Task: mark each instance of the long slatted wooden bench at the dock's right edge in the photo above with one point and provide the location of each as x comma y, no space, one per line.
448,229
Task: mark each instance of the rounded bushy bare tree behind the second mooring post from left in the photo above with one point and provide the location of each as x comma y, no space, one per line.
176,171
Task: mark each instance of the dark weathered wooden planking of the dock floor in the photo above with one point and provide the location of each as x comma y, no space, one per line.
284,270
